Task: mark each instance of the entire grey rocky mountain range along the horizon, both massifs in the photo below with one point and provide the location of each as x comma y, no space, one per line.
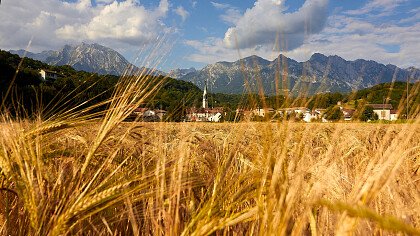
251,74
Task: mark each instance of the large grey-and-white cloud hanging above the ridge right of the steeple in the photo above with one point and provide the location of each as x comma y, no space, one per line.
259,28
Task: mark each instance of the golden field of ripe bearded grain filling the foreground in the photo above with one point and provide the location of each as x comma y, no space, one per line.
201,178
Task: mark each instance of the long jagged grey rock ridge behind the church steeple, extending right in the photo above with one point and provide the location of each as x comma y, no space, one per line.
284,75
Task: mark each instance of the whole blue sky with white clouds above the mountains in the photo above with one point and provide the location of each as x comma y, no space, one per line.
194,33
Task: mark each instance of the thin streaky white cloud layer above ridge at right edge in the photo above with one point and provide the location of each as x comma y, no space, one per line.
344,39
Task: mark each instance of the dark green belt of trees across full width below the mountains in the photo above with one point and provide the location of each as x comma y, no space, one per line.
28,95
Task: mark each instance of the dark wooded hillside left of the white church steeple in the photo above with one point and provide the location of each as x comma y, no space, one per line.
76,87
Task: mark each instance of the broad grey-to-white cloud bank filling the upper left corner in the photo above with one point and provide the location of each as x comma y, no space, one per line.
53,23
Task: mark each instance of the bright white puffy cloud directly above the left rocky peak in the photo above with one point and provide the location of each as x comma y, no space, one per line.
125,21
